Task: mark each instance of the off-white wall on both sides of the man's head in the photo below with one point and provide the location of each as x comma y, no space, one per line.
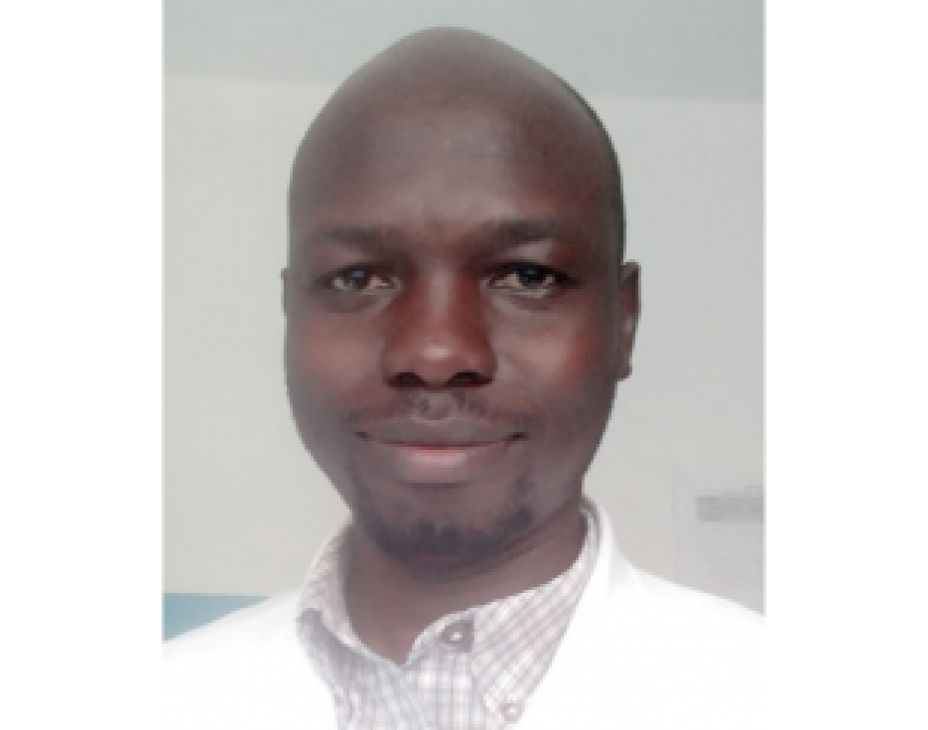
243,508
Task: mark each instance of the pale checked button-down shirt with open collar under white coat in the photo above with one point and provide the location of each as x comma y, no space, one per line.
472,671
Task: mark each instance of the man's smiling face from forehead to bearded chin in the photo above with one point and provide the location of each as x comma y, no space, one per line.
458,321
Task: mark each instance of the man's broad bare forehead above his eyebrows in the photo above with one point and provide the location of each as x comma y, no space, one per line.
449,164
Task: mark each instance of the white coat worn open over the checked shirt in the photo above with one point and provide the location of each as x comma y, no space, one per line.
641,654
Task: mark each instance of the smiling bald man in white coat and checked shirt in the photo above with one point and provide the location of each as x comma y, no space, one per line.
460,313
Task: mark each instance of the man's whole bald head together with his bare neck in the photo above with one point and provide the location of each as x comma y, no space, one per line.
459,318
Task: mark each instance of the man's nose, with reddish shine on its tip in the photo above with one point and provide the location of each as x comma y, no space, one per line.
439,338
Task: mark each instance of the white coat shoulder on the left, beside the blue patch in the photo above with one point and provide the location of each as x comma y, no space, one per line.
235,672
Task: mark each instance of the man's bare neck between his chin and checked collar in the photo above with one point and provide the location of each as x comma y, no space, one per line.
391,604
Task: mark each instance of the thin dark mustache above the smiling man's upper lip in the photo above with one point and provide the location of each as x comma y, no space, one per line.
459,405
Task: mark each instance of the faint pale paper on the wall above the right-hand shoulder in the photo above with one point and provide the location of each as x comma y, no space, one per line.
722,536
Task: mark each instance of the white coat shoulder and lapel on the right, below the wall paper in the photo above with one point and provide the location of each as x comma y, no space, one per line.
647,654
